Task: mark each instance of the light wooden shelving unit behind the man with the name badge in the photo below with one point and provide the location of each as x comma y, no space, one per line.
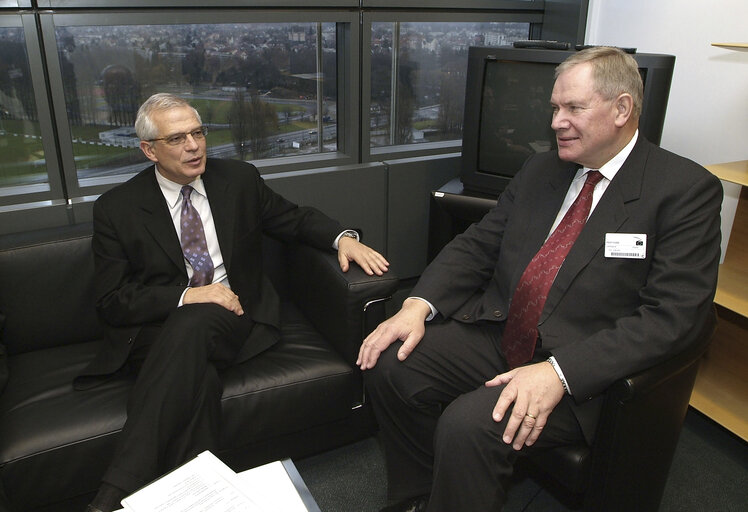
721,390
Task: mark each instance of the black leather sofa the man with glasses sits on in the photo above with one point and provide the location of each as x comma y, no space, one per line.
302,396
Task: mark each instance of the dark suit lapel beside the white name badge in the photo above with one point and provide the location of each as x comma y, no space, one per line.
609,214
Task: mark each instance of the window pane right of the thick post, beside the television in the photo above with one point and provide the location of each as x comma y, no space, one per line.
424,63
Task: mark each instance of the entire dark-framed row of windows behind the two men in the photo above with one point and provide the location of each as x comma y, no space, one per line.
289,85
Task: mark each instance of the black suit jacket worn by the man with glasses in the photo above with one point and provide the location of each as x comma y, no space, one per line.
139,267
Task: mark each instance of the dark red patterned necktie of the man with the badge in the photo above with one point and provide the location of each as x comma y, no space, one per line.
521,331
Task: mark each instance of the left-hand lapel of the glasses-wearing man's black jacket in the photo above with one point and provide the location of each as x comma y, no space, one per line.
157,220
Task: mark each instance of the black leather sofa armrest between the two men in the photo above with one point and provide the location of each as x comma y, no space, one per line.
343,306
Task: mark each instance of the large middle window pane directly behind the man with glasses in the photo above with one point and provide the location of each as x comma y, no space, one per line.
264,89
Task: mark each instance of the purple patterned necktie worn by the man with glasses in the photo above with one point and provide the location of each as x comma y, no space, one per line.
194,246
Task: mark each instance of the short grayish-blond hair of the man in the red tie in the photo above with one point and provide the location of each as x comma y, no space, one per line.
614,71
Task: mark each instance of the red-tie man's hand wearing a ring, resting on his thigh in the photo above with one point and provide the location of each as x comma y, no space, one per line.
535,391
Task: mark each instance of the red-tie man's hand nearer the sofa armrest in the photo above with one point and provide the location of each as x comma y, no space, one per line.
408,325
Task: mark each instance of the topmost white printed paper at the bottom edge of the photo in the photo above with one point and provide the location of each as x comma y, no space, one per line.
204,484
